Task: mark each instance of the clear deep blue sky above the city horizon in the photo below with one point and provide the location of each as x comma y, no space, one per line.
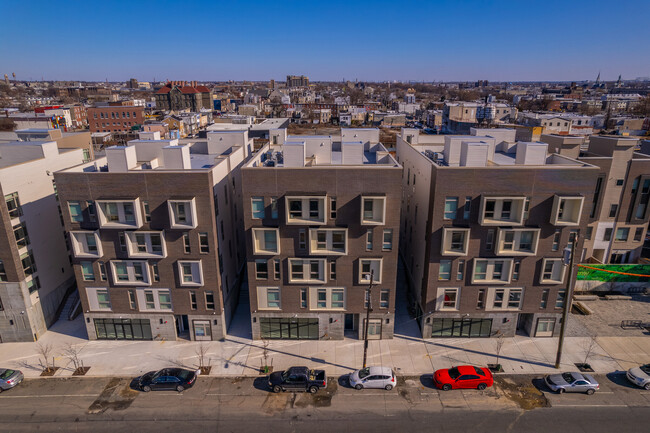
376,40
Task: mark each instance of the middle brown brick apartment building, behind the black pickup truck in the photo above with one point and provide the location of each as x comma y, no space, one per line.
321,215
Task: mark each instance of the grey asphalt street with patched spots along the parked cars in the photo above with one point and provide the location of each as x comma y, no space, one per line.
515,403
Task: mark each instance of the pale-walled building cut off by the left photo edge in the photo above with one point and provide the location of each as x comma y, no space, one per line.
35,272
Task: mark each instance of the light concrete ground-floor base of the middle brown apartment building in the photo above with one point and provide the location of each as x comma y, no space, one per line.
319,326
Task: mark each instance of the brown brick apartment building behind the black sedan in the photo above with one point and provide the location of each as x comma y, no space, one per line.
157,239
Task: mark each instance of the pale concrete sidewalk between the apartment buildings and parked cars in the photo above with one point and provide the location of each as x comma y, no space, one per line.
238,355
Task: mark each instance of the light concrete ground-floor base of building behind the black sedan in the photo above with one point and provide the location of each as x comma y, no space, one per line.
102,326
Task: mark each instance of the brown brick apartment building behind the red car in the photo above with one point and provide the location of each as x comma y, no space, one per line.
485,220
